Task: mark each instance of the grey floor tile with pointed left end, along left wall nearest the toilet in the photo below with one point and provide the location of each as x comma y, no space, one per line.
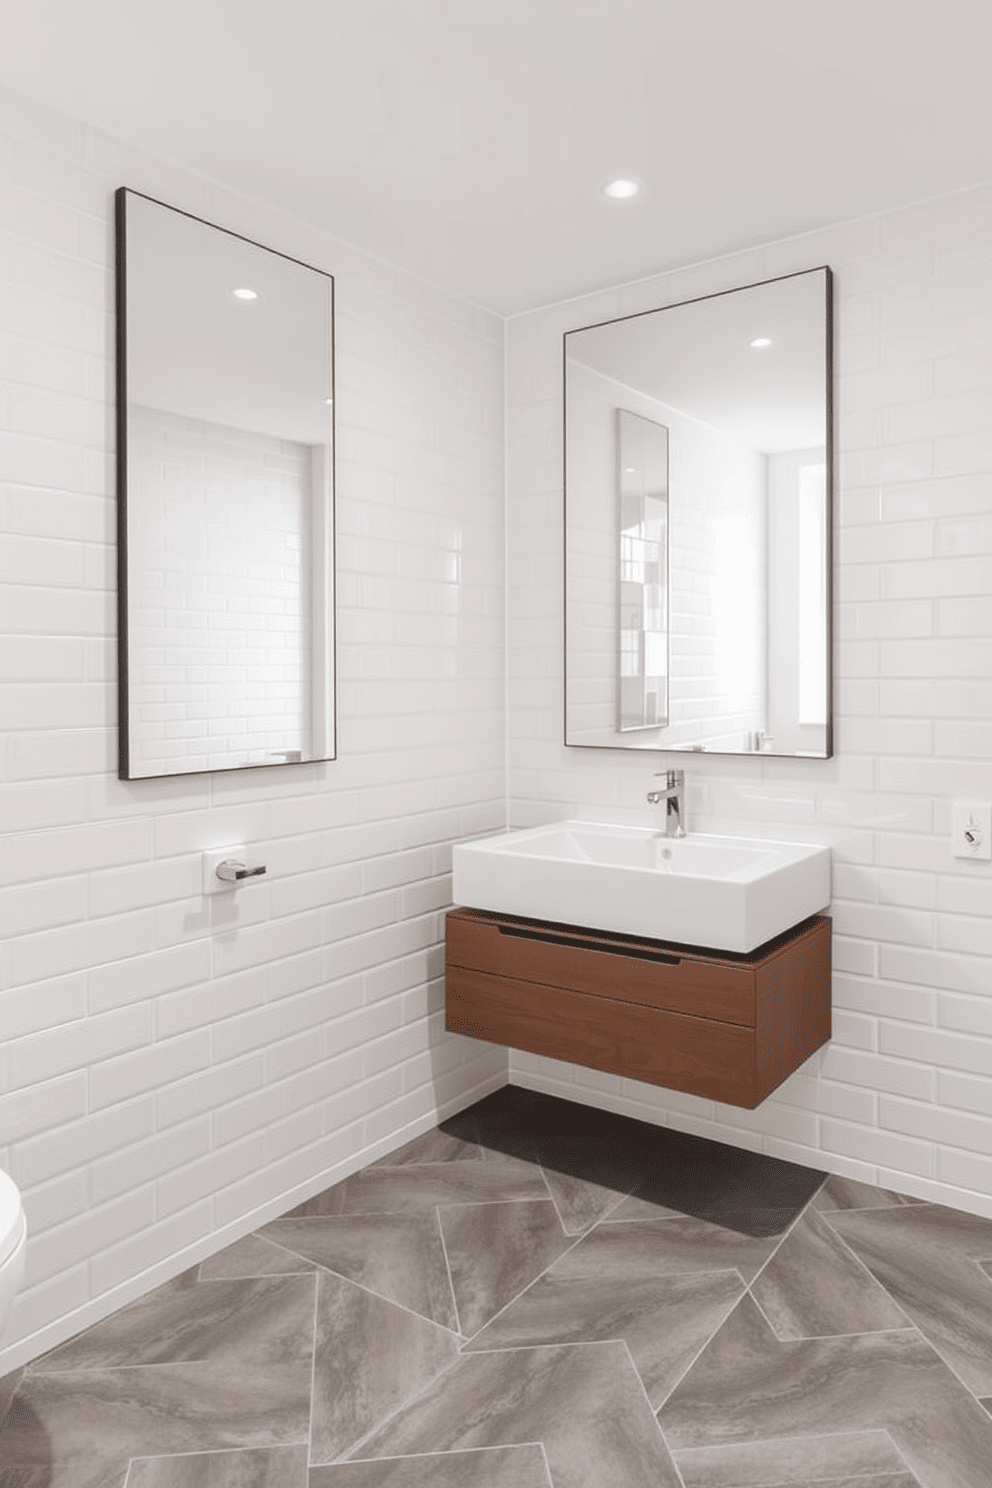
257,1321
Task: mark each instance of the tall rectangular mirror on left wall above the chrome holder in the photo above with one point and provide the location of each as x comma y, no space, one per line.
225,498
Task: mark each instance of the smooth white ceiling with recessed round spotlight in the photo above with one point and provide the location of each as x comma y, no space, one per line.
466,141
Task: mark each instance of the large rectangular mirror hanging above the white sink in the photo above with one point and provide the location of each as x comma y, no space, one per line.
698,525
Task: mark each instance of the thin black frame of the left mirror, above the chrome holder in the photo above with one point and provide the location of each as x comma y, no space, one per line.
121,344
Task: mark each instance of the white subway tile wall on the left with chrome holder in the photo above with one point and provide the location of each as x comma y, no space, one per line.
173,1071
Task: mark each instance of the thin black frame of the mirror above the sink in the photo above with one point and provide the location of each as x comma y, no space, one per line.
829,587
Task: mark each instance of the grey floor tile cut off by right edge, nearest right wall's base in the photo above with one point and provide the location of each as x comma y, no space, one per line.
924,1257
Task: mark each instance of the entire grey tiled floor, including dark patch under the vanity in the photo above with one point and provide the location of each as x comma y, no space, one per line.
539,1295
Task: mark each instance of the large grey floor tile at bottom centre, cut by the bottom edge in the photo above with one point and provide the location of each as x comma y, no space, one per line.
585,1404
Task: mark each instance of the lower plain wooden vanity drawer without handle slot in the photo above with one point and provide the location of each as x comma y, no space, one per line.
716,1060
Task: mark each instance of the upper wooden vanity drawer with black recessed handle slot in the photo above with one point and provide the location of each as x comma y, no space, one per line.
646,974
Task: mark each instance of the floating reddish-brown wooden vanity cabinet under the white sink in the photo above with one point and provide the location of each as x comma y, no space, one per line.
727,1027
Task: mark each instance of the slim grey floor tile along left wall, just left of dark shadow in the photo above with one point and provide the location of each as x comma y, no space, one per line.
422,1187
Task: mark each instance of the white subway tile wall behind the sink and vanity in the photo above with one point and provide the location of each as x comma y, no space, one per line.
902,1094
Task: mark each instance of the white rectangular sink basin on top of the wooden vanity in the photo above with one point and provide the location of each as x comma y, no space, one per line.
719,892
